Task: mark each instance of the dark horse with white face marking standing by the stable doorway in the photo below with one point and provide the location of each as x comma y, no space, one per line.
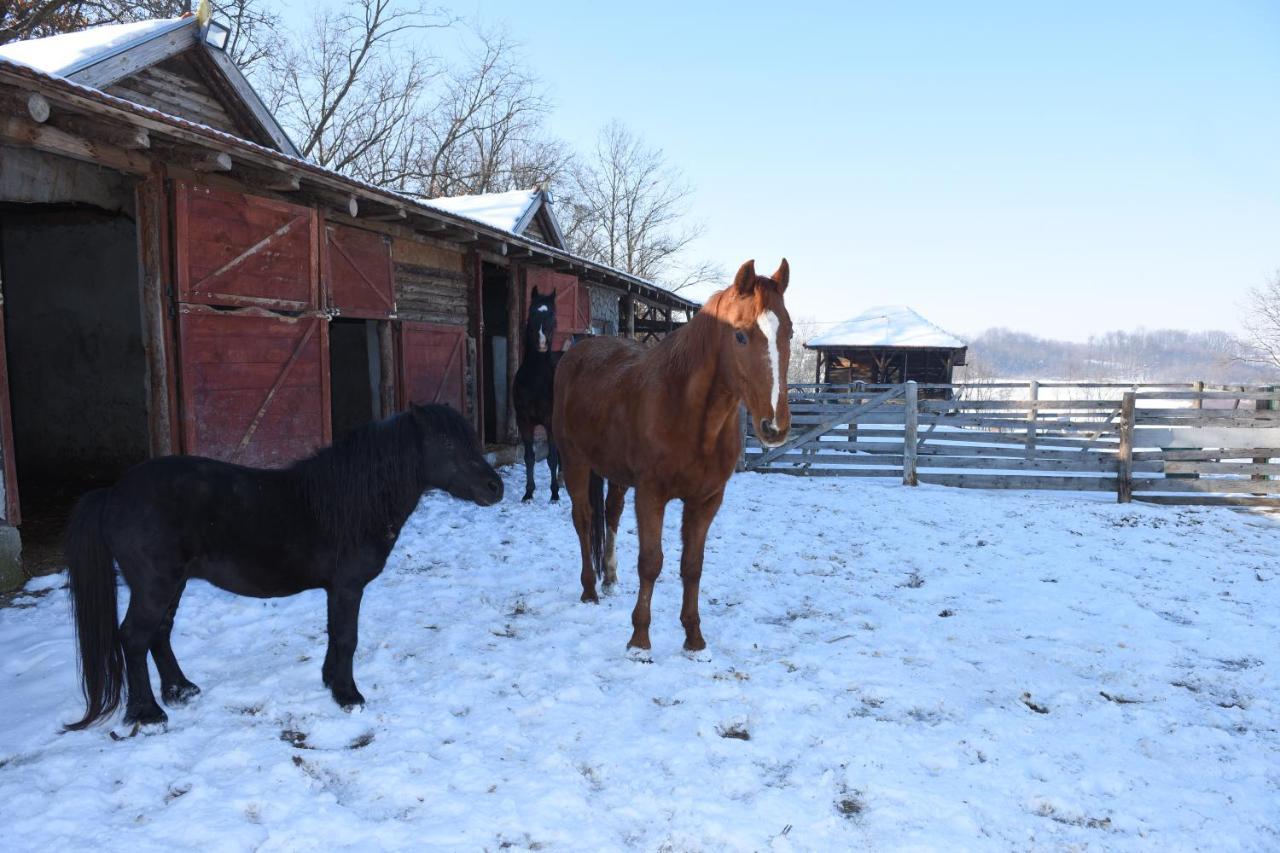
534,386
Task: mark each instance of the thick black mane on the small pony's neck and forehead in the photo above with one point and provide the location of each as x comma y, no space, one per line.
369,482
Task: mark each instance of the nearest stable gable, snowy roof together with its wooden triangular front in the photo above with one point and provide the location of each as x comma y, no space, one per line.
164,65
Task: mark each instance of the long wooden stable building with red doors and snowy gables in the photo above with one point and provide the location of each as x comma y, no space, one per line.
176,280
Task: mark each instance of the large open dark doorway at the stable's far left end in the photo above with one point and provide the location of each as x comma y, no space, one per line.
77,368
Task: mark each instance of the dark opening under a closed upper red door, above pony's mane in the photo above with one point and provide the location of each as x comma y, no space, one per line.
355,375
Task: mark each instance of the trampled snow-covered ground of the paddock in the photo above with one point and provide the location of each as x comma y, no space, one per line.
889,669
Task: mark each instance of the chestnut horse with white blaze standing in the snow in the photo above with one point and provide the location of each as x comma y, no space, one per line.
665,422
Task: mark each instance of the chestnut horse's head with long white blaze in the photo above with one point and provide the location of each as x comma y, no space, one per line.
757,339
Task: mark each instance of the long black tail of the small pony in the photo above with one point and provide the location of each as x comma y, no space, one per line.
93,583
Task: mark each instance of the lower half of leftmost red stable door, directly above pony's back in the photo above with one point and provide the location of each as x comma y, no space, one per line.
255,386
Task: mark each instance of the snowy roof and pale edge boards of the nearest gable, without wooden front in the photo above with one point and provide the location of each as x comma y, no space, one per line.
102,57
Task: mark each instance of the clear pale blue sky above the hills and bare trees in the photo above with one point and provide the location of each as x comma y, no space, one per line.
1063,168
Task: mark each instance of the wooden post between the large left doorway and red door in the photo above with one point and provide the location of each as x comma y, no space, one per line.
158,341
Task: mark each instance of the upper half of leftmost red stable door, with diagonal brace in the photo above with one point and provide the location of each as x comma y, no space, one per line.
241,250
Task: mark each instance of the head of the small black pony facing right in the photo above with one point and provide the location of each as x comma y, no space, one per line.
452,458
